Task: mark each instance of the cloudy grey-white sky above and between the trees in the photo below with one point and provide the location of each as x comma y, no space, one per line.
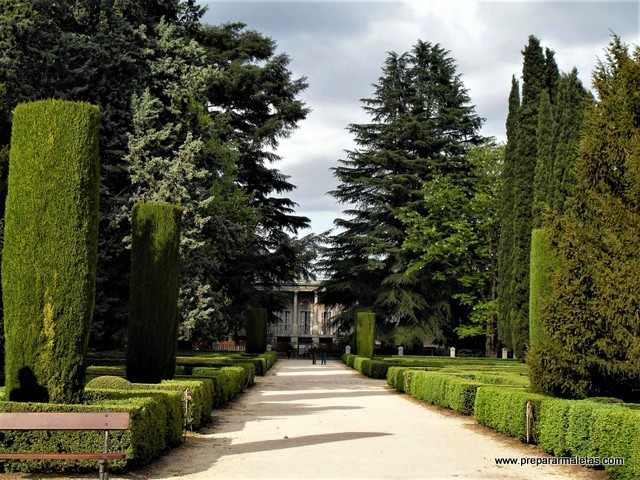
339,46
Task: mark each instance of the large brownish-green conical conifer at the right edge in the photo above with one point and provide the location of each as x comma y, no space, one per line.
593,333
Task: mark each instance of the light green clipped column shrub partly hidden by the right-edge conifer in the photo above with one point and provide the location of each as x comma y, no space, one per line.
542,264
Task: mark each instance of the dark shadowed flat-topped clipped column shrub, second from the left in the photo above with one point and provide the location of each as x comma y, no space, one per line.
154,286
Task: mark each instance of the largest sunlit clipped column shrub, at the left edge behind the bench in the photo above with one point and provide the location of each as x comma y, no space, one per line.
50,248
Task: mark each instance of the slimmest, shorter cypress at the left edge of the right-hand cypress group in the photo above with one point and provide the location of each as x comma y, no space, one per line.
505,246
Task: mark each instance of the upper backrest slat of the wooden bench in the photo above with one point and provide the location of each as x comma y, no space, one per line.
64,421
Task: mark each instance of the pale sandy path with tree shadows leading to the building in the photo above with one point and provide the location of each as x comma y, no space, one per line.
305,421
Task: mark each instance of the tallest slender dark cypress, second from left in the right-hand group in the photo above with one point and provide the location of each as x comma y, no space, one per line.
533,76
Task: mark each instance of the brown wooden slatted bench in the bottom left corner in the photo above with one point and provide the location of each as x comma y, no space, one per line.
102,421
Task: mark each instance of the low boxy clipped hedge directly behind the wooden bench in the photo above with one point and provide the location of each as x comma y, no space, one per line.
144,441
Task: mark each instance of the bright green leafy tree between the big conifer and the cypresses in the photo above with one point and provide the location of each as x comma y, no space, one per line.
452,241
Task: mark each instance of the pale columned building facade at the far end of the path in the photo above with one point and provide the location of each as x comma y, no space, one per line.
303,321
